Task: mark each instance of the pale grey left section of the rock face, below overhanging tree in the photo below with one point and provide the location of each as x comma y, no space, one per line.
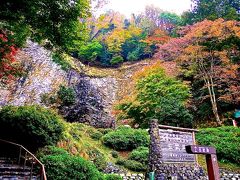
42,76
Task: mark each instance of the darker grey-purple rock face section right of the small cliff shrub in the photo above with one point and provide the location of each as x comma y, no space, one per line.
94,100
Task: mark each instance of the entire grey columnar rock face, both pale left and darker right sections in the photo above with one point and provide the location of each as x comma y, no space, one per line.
95,96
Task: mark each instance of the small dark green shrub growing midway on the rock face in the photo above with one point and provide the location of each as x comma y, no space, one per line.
66,95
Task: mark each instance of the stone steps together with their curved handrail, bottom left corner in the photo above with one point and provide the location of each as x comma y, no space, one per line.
17,163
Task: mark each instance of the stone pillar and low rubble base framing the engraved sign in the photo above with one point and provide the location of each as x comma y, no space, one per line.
169,170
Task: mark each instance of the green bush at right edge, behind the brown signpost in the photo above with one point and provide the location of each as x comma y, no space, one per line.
226,140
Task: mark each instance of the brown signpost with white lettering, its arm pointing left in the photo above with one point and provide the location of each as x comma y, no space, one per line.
211,159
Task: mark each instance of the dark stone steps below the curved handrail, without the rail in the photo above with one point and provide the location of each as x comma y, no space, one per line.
11,171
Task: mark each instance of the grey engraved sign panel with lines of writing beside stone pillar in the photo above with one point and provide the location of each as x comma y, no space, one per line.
173,144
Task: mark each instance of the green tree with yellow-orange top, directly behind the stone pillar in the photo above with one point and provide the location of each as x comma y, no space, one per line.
157,96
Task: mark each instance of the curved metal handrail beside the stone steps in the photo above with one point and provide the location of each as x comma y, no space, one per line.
43,173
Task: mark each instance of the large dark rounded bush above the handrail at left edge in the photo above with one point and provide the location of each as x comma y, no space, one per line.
31,126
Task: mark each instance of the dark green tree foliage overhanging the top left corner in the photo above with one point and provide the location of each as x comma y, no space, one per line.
57,21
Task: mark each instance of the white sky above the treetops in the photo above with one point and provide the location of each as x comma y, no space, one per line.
127,7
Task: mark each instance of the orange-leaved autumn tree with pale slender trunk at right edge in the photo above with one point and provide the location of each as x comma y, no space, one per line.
209,53
